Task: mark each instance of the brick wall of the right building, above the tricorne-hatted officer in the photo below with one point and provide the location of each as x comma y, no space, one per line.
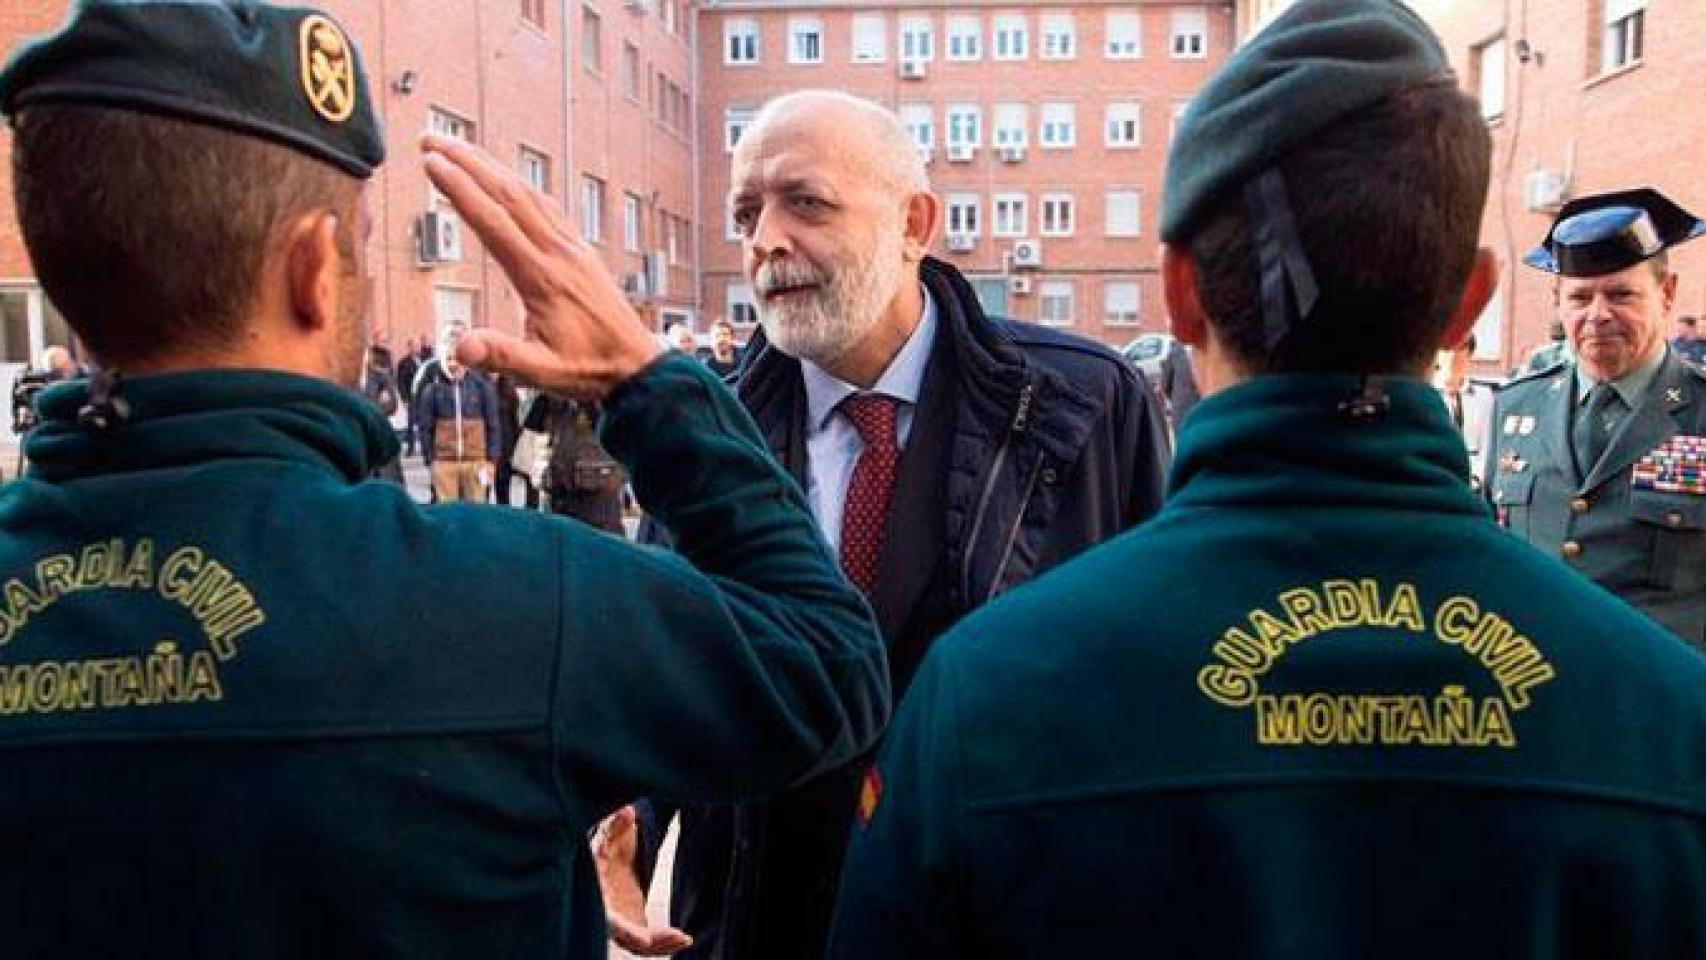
1640,125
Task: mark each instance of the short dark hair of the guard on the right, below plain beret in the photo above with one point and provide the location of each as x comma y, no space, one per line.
1388,205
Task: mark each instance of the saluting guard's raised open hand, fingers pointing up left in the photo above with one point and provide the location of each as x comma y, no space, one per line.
583,335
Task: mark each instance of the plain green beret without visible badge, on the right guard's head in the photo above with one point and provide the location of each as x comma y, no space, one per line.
1316,64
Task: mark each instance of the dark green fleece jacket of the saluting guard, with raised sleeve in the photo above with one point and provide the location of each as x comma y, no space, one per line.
252,707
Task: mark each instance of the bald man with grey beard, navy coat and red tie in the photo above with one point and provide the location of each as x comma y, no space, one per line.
948,456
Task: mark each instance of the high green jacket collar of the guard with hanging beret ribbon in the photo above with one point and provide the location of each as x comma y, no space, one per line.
1285,441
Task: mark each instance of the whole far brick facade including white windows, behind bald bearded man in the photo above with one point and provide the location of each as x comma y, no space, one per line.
1047,129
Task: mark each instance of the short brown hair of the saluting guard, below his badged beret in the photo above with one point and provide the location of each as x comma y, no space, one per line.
149,234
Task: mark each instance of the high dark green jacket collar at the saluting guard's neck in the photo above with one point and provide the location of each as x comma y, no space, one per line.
195,419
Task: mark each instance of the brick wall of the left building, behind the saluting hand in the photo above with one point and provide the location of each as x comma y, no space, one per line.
511,72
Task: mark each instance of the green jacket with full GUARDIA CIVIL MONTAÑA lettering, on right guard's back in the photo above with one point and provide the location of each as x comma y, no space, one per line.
1318,708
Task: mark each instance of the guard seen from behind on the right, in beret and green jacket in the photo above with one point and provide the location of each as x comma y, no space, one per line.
1320,707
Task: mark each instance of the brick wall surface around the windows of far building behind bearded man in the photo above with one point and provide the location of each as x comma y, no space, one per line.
1089,258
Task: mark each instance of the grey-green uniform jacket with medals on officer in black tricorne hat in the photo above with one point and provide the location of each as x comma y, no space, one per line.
1647,547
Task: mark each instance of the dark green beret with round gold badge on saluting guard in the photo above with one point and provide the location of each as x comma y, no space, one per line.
282,74
